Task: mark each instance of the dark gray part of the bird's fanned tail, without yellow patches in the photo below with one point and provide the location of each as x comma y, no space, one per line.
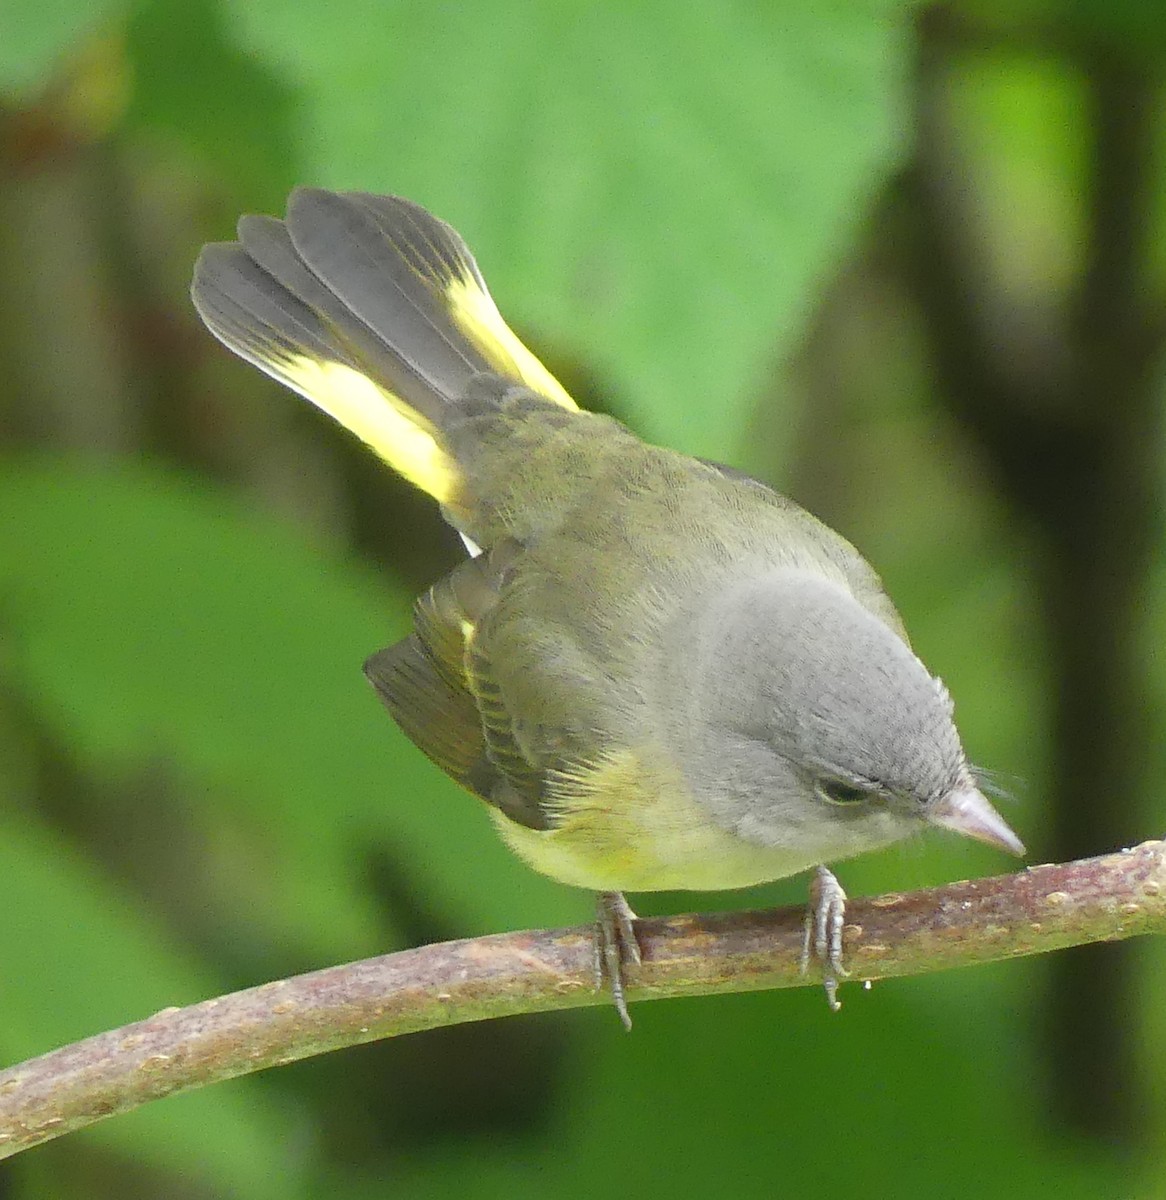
348,278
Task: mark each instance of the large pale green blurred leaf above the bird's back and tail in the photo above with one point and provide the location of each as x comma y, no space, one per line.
670,236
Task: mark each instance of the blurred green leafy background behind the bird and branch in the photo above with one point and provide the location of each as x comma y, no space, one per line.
906,262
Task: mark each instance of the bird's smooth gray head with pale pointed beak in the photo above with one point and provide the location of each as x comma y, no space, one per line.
831,731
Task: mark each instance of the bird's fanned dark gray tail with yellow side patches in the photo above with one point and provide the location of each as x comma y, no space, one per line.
375,311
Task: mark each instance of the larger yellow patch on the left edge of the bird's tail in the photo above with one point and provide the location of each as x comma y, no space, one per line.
377,418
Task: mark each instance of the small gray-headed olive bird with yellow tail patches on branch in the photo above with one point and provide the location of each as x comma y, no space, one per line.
657,671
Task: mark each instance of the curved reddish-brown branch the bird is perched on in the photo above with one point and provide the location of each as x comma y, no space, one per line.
899,934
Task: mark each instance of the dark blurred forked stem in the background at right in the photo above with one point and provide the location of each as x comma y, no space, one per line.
1067,411
